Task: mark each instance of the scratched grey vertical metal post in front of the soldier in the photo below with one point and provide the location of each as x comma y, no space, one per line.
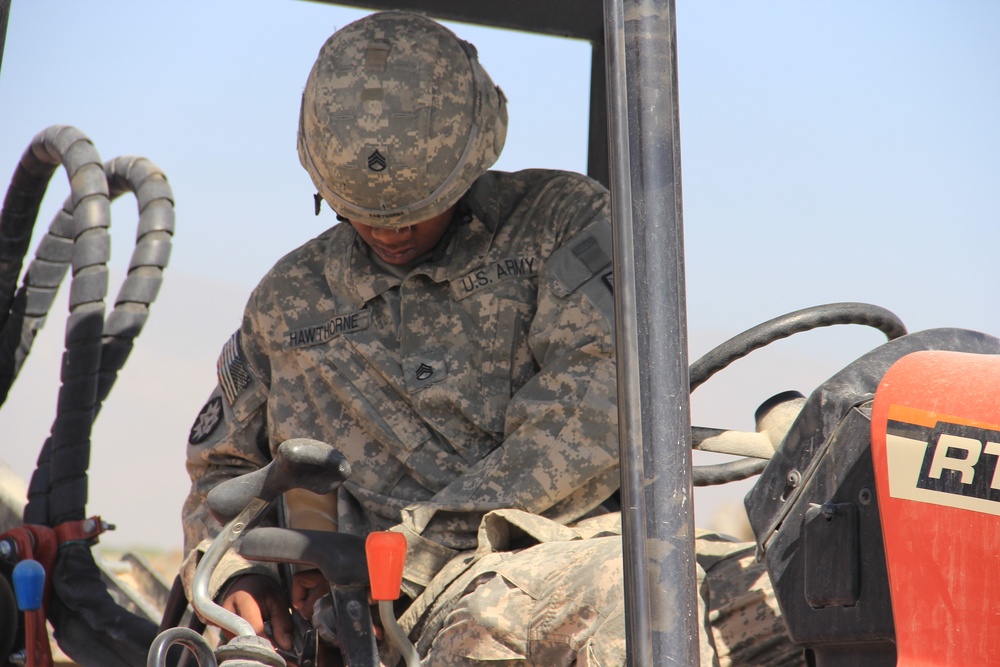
651,329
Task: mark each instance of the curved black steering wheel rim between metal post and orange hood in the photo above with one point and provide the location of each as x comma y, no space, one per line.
764,334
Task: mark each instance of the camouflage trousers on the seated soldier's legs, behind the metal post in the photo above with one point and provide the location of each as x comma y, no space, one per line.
561,603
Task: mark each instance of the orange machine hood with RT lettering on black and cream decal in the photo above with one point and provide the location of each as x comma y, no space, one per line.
936,450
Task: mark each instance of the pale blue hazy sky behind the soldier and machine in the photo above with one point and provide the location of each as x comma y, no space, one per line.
830,151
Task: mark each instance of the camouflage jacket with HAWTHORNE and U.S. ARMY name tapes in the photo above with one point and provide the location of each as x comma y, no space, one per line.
480,379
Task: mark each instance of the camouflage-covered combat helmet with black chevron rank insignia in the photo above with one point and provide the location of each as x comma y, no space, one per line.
398,119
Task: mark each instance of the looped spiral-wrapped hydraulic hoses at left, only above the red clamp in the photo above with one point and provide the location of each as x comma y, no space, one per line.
95,349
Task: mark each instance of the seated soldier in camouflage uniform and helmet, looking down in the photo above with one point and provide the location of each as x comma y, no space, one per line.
453,338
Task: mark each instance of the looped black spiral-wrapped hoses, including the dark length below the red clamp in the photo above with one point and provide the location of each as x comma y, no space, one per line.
91,627
